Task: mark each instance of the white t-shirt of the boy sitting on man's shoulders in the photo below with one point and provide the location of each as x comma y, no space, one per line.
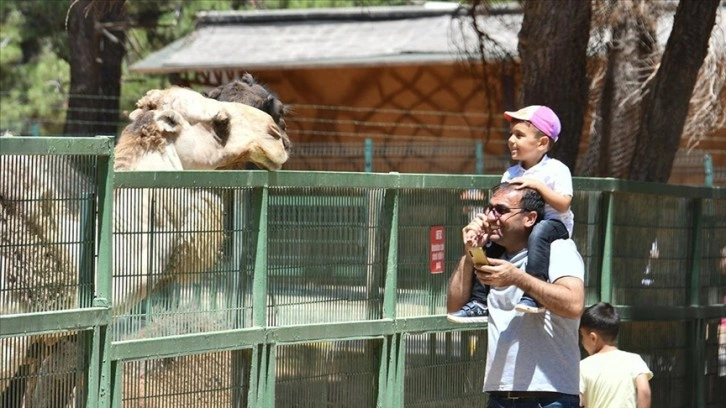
555,175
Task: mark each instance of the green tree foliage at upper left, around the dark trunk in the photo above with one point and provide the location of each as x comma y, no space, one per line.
35,79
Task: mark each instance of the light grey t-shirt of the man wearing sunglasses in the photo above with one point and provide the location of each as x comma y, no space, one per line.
534,351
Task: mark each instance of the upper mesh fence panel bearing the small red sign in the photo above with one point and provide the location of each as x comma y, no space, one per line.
422,280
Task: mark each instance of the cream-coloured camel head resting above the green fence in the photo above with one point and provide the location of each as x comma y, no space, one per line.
199,133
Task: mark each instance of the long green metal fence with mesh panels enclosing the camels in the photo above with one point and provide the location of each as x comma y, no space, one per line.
309,289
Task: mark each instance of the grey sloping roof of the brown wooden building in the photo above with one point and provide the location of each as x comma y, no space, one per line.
303,38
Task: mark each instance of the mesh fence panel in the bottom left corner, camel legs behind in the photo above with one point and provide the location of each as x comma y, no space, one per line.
43,370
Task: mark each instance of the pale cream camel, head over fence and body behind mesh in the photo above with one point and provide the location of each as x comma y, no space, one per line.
172,129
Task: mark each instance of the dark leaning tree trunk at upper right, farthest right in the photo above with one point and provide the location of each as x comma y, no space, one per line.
666,105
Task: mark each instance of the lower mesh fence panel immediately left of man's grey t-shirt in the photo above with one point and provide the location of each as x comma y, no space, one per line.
445,369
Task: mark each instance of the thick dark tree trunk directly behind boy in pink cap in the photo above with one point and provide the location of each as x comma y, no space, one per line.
553,50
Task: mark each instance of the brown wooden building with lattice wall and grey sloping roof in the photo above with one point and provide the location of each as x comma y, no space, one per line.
374,88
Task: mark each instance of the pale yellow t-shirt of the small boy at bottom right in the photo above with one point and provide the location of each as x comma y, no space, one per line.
608,379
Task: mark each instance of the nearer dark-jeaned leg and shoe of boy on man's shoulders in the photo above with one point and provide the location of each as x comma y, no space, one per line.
538,257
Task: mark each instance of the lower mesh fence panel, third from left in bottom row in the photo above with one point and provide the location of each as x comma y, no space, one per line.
328,374
